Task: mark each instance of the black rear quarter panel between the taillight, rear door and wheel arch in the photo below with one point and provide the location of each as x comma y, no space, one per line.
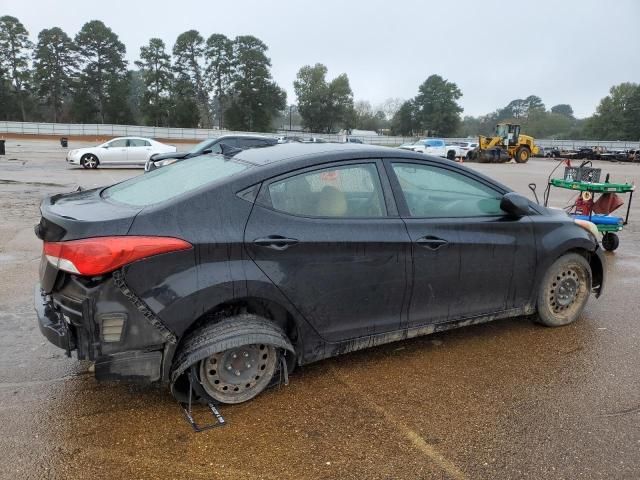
182,289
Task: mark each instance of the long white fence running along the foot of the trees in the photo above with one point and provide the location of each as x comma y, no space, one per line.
196,134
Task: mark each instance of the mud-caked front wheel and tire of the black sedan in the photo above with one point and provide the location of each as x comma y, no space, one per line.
564,290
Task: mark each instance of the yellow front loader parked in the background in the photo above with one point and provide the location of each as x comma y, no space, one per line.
506,144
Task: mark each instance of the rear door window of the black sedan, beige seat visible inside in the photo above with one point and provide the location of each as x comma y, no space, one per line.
348,191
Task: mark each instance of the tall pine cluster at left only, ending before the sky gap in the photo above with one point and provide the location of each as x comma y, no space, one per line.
200,83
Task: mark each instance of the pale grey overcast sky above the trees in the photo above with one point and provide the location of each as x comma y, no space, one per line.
565,51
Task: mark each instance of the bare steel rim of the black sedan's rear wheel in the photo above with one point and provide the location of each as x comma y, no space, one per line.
238,374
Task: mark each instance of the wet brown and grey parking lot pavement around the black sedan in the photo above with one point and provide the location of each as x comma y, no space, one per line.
508,399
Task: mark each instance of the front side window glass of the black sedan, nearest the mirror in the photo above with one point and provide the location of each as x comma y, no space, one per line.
435,192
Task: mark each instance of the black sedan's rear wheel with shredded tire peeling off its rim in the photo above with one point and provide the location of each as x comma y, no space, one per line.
235,358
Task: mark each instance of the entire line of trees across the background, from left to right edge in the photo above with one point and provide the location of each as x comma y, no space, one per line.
227,83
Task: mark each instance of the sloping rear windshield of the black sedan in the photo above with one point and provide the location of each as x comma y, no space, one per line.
173,180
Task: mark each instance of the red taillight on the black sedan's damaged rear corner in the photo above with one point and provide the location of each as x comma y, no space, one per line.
100,255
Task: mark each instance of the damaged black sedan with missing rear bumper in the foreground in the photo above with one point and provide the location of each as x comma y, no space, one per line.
217,275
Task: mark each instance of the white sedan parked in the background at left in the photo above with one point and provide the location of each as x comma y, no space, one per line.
119,151
